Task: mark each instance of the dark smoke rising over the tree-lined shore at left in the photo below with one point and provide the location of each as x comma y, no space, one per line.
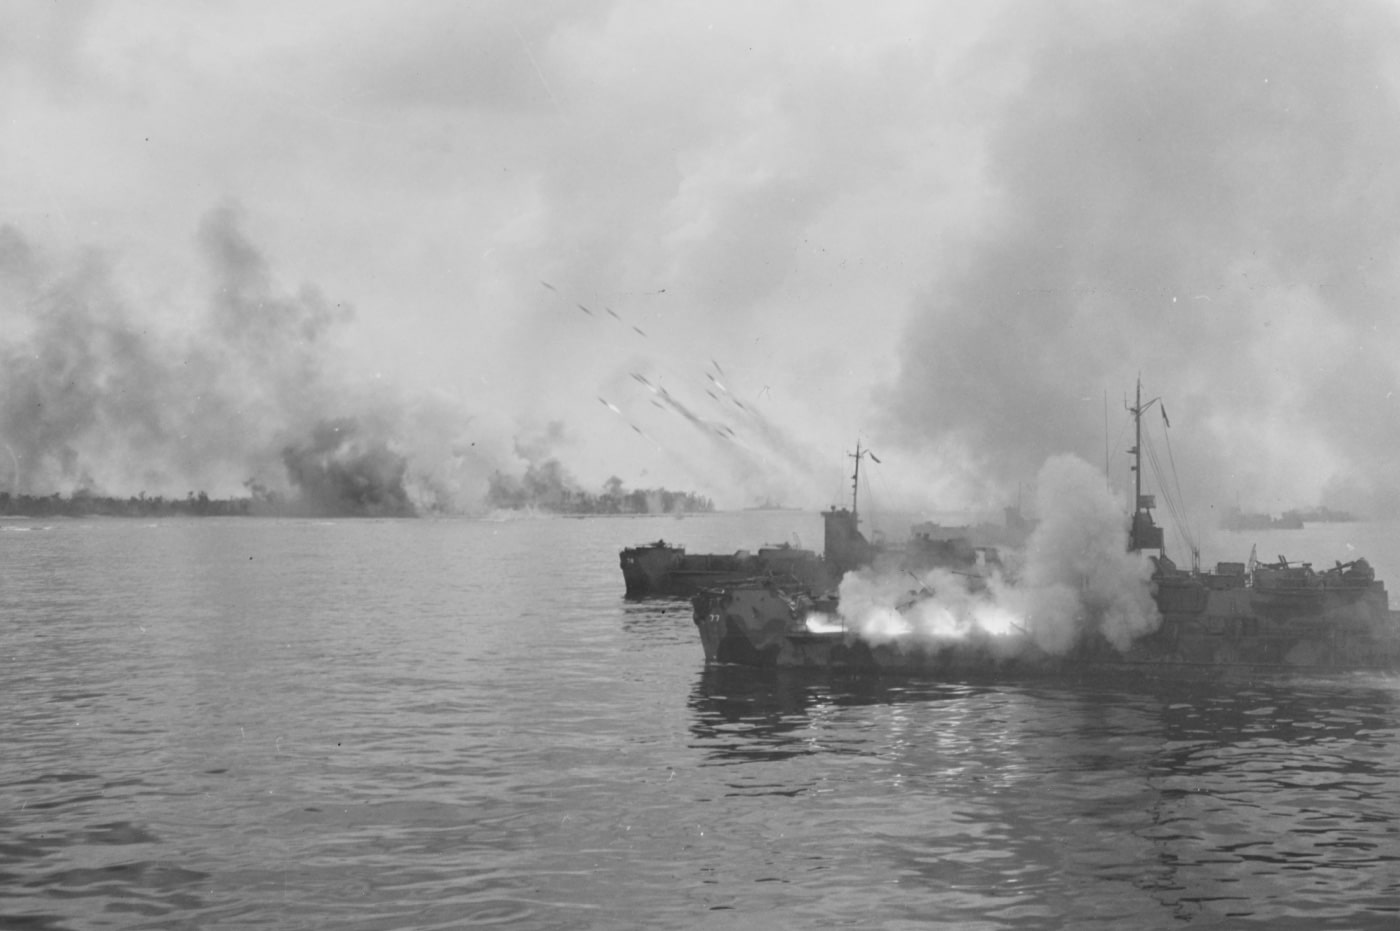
243,391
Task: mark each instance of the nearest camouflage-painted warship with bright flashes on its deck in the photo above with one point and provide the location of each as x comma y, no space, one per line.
1244,617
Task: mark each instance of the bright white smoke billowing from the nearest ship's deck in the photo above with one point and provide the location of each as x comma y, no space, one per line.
1076,582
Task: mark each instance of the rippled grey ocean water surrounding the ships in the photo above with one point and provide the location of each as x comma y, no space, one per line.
446,724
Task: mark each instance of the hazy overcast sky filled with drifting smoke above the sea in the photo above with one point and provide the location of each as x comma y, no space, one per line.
705,247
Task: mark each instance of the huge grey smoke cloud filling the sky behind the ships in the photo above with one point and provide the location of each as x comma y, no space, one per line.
1205,194
